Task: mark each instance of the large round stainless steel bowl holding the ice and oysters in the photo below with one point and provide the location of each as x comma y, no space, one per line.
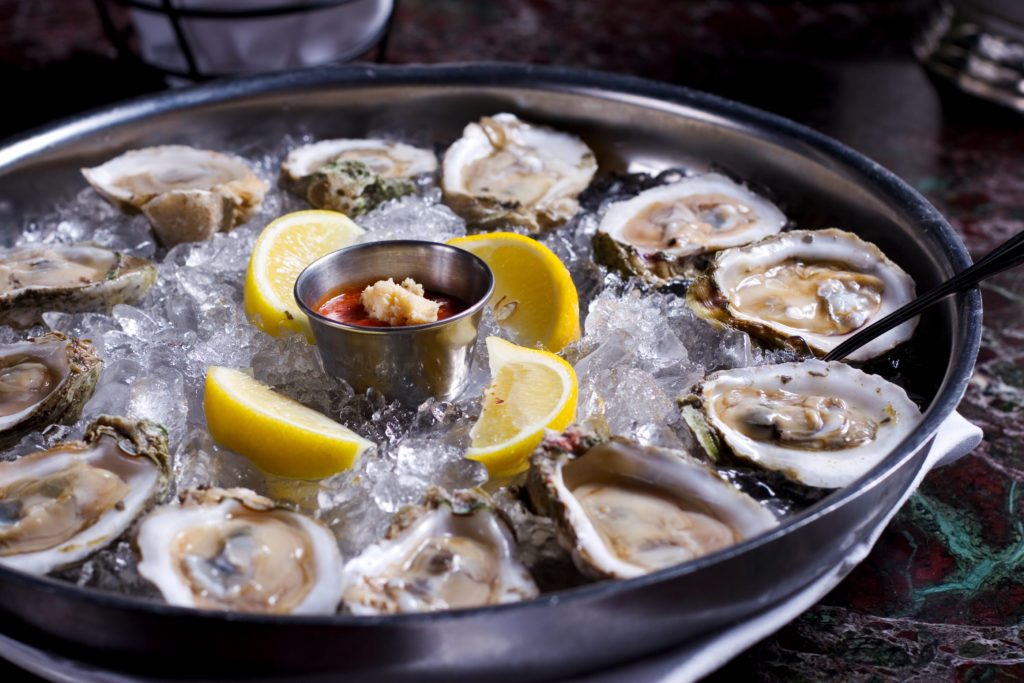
632,125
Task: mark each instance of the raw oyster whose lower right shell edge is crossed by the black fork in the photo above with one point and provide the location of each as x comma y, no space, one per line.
806,290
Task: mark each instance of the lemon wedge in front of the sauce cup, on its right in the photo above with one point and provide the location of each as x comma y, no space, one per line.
530,392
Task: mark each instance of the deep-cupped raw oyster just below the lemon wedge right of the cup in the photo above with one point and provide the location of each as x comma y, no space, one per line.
625,510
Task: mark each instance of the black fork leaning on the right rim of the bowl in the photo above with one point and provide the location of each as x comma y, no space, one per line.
1004,258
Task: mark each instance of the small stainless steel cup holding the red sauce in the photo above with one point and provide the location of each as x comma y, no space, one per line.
411,363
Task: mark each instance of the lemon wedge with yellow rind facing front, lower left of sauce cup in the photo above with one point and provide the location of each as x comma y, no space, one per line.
280,436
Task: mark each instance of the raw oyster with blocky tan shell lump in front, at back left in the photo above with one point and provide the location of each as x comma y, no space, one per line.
187,194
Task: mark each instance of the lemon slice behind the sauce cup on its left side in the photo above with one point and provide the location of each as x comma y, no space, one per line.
286,247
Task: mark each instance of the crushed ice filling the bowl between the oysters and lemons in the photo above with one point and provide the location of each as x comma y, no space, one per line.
641,350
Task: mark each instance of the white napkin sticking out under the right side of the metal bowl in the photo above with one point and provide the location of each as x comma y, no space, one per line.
955,439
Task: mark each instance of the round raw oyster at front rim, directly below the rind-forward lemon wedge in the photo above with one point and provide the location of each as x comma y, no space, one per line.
234,549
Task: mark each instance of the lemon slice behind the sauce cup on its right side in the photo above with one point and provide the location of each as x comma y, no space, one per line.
535,298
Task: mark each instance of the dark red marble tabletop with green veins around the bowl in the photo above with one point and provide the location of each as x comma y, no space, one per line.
942,596
